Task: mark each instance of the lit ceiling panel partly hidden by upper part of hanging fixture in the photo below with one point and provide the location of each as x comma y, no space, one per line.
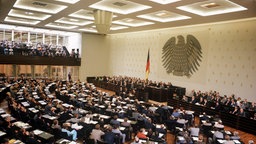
84,14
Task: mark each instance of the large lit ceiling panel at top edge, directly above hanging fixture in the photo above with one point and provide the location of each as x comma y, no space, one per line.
119,6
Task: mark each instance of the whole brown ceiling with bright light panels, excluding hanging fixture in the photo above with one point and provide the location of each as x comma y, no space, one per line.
128,15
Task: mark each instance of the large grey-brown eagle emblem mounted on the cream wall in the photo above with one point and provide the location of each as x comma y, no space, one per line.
181,58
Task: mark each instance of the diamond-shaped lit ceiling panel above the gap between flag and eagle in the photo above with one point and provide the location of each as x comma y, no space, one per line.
163,16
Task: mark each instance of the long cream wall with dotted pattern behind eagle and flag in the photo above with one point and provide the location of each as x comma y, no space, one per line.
228,64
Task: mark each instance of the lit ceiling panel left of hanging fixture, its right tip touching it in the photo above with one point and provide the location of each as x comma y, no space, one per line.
73,21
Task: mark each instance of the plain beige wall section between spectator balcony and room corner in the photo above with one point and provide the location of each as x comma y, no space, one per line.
95,56
